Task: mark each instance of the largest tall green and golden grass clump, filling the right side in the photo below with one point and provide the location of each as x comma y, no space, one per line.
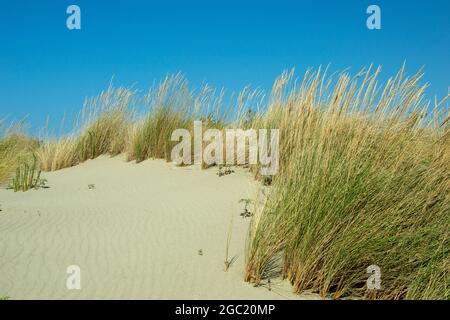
364,180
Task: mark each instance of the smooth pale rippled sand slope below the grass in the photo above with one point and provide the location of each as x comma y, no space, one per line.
136,235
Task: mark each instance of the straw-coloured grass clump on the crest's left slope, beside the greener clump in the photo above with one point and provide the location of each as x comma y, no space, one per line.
101,128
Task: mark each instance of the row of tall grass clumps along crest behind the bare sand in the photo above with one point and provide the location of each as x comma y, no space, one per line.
139,125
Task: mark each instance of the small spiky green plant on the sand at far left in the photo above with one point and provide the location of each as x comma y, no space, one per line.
27,177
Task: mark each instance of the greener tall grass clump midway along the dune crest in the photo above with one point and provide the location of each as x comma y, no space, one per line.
170,106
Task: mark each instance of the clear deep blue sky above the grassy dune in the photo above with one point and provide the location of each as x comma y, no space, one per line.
46,69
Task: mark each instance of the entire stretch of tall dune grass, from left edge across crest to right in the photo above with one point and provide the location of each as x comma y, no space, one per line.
363,180
